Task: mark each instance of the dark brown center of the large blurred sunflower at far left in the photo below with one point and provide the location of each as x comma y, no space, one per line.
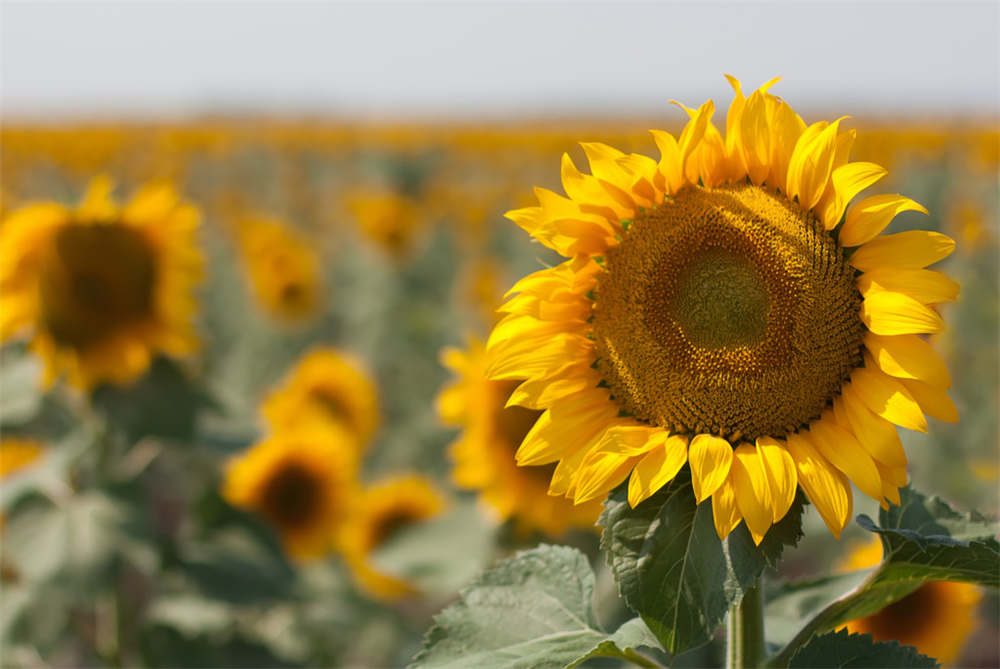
95,281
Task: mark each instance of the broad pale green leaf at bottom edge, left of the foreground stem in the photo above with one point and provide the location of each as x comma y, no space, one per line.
533,610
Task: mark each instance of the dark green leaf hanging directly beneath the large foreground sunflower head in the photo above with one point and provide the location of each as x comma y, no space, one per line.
671,567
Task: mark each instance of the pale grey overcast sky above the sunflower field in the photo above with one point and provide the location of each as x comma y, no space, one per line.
493,60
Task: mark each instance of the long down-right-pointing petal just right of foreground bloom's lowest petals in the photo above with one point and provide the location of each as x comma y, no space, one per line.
826,487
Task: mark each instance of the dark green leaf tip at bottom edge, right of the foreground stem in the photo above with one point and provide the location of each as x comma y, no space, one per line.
841,650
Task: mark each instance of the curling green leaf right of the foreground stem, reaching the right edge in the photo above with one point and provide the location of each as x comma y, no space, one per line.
922,540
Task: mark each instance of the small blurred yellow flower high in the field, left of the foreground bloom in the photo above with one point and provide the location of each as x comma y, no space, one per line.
389,219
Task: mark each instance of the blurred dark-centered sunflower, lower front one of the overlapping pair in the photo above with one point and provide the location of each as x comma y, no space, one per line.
299,481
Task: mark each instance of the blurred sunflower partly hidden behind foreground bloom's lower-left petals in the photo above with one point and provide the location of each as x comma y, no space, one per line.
483,454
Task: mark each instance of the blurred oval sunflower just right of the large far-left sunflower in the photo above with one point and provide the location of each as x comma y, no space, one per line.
282,267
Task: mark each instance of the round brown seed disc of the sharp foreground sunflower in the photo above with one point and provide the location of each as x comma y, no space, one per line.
729,311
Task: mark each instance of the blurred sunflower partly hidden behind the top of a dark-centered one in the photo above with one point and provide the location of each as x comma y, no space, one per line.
326,387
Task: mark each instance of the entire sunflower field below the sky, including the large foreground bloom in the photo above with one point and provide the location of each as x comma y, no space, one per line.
309,393
